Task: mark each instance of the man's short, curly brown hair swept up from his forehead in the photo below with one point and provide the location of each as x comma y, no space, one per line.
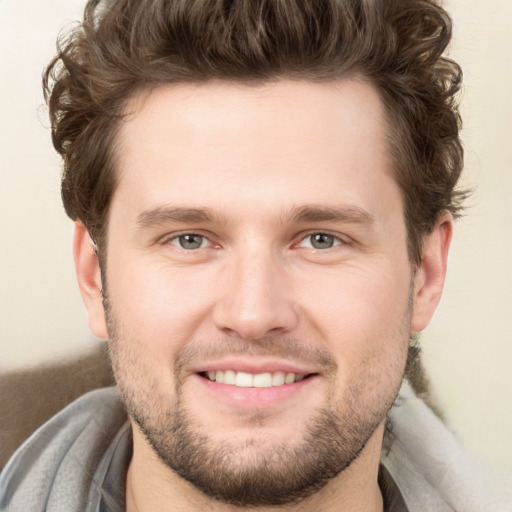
125,46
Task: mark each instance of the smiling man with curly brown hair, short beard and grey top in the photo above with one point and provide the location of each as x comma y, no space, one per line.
263,195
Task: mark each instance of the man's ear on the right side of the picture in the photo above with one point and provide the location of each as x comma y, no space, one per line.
430,276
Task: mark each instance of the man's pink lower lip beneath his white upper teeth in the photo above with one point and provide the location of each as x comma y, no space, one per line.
255,397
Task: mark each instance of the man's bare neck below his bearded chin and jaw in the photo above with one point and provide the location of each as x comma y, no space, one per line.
152,486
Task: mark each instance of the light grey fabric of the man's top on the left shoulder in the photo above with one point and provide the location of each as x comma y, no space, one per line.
61,467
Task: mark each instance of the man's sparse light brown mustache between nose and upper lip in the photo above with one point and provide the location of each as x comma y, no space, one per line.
288,349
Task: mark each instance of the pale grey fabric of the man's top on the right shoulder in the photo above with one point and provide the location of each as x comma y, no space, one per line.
427,463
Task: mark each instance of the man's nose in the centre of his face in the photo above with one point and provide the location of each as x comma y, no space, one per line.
255,298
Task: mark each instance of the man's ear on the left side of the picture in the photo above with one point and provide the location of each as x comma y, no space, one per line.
89,279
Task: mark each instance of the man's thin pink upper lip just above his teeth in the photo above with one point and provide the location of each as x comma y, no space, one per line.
254,366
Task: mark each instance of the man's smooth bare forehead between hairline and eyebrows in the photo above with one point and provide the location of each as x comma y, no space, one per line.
239,148
